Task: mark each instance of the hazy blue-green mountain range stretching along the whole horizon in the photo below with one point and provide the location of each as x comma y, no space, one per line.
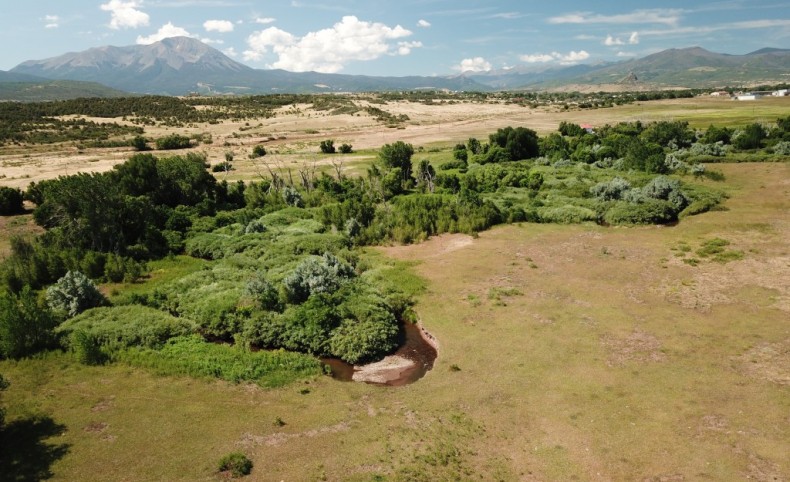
182,65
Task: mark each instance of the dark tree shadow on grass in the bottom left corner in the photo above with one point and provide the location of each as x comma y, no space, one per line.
25,453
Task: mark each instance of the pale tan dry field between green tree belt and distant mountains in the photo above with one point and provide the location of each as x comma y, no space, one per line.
297,131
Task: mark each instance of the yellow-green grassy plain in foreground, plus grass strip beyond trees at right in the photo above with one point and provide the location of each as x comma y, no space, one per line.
566,353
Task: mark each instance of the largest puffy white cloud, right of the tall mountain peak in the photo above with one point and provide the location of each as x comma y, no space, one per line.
329,50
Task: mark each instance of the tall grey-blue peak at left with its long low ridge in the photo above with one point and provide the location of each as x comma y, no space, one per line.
181,65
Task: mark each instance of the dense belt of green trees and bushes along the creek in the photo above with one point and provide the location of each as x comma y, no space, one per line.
285,269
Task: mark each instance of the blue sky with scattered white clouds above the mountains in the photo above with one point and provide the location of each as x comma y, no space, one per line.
403,37
